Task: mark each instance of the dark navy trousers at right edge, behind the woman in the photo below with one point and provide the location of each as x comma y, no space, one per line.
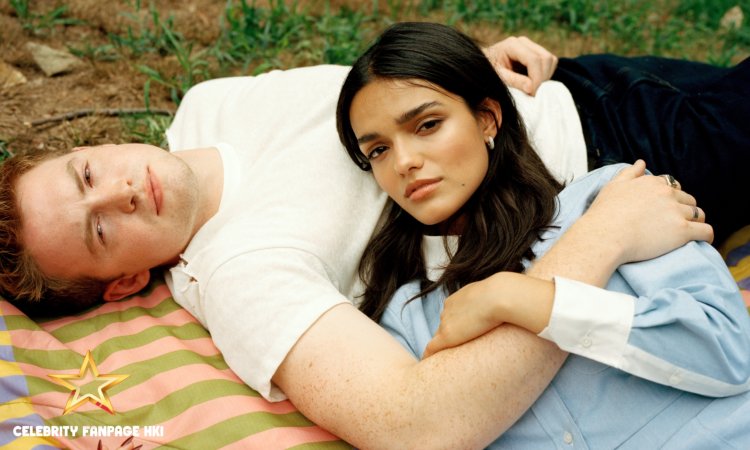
688,119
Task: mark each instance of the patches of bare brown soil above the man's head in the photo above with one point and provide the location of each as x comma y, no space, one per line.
96,84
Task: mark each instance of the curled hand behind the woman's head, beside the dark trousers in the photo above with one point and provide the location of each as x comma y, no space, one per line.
508,54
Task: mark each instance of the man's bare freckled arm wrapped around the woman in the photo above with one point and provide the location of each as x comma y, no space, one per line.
351,377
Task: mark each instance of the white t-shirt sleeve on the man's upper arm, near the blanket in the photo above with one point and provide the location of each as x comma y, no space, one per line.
257,305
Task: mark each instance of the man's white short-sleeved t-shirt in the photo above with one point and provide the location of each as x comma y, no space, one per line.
295,214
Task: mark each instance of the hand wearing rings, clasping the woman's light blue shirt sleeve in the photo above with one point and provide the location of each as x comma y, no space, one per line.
644,216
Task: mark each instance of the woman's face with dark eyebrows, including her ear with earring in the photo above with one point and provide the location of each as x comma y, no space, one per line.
426,147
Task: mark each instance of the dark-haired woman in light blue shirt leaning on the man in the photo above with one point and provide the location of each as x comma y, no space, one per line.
426,111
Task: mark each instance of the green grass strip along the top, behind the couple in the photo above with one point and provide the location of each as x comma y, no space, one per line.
254,38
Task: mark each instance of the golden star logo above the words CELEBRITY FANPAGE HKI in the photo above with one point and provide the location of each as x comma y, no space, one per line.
89,385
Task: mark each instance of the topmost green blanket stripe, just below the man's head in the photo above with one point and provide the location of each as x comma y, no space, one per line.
84,327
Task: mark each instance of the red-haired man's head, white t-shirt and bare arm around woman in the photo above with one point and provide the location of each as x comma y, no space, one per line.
264,221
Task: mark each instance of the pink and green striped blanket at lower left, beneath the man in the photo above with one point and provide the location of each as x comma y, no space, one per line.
153,373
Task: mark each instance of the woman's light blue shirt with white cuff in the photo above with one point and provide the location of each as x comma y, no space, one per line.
686,329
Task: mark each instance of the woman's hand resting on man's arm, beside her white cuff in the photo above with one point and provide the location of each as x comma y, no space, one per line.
484,305
